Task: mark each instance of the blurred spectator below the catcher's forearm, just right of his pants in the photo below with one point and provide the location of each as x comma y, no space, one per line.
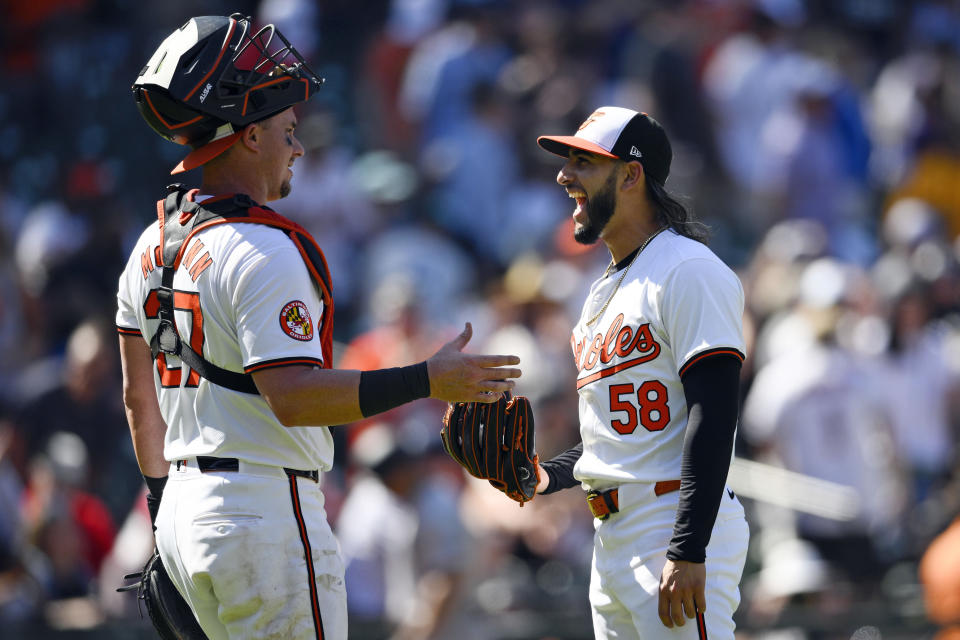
404,546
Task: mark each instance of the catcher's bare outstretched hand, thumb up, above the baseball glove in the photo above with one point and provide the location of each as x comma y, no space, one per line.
461,377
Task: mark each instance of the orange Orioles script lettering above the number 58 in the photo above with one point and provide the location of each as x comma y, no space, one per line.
619,341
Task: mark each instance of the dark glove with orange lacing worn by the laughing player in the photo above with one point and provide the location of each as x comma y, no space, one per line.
494,441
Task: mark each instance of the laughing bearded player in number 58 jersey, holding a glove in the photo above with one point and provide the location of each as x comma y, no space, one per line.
658,347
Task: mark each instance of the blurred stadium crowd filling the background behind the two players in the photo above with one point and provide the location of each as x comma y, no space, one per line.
819,140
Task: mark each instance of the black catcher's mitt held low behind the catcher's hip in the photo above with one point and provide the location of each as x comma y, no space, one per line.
169,612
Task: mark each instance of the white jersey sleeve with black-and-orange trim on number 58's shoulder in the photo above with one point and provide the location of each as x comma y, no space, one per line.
702,312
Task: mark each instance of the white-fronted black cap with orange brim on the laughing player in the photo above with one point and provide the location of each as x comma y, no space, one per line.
617,132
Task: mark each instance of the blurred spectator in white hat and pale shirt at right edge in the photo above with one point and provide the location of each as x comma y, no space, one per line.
916,280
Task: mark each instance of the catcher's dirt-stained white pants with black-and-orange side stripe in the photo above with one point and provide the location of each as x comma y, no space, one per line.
236,543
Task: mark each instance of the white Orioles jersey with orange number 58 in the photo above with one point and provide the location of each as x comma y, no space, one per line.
678,303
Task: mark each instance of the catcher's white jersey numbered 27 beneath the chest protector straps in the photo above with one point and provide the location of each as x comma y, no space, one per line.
245,301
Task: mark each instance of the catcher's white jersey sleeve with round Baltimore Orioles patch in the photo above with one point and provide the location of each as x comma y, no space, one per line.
277,304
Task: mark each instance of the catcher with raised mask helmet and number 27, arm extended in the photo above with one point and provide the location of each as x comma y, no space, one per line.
225,318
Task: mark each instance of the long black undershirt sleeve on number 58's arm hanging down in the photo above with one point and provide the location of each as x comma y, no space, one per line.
711,388
